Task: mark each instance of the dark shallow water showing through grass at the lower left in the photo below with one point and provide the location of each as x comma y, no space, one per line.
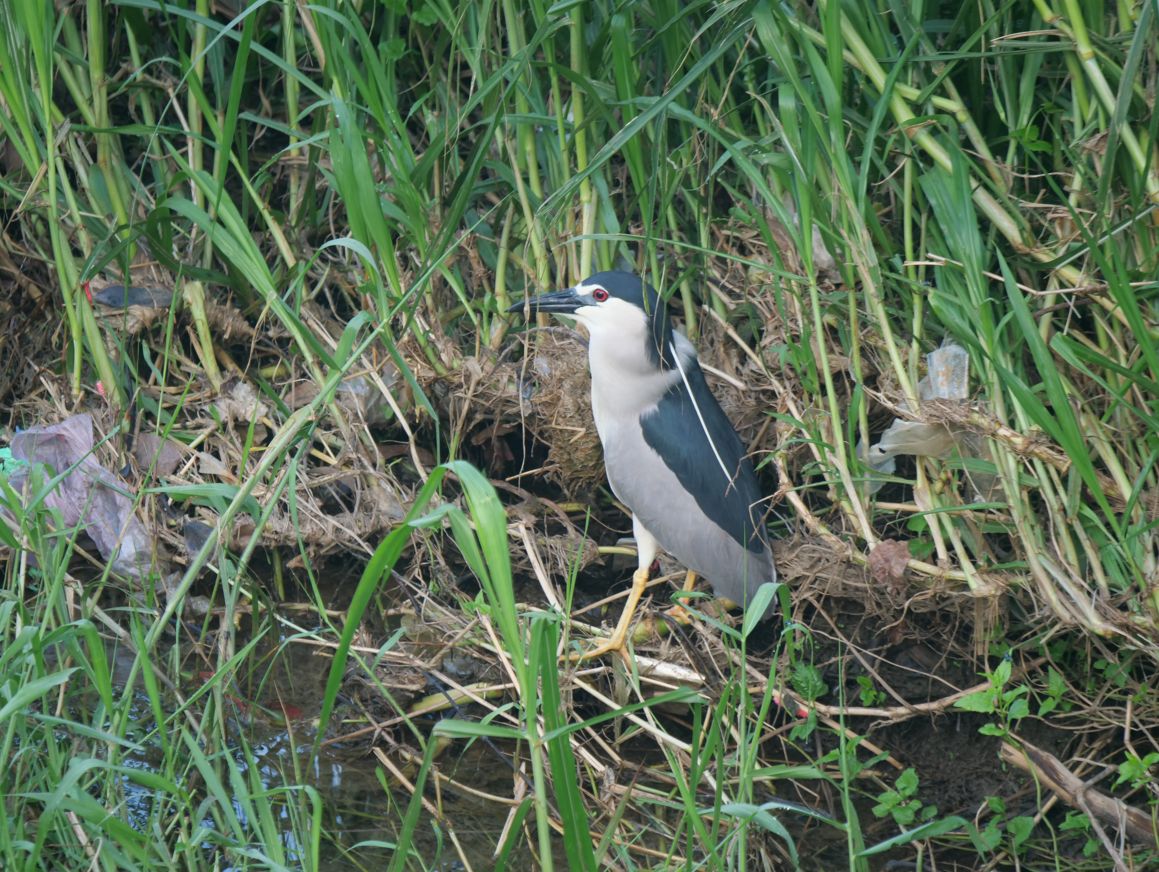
365,803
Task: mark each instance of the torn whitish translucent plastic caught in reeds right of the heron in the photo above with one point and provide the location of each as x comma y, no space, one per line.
949,380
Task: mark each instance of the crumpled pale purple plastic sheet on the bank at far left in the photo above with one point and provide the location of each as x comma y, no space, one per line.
90,496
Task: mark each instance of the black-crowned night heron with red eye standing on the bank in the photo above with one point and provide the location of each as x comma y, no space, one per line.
672,454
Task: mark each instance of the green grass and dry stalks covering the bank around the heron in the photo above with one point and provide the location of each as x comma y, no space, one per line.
826,192
